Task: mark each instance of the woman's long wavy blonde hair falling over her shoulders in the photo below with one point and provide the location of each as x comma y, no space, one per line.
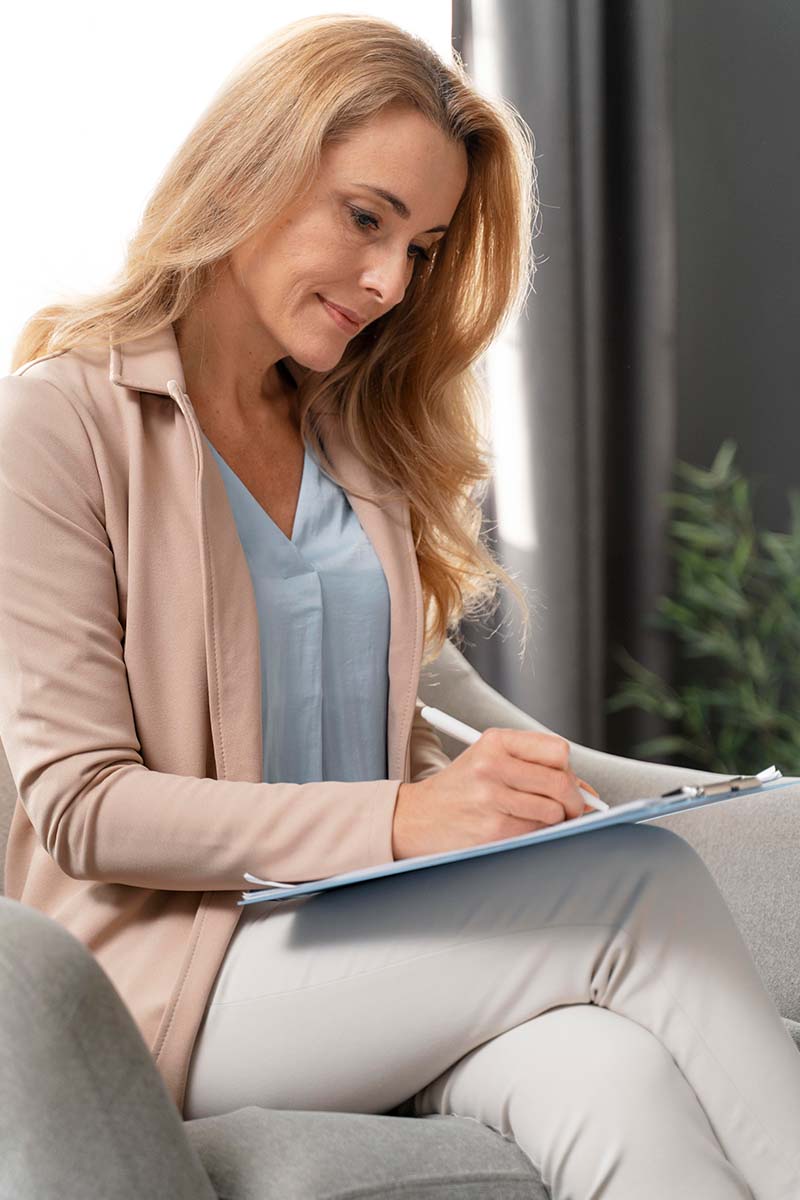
407,392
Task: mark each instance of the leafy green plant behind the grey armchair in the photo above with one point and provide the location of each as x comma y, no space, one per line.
735,623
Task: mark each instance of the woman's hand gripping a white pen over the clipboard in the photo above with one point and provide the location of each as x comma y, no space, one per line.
508,783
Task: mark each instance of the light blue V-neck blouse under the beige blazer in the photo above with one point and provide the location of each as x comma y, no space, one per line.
323,616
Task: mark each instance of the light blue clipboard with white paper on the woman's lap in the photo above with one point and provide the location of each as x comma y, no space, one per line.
679,800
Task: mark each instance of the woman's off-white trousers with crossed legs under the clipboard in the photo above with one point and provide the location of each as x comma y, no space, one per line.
591,999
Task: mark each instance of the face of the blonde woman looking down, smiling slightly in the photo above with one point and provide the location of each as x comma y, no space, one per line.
347,245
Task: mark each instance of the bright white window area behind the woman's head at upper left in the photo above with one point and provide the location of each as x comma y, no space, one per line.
97,99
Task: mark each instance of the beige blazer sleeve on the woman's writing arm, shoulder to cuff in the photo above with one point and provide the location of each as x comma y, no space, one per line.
67,718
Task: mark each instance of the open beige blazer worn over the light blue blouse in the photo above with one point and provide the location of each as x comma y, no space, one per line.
130,685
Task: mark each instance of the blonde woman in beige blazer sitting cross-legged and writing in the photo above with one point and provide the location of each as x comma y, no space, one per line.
240,505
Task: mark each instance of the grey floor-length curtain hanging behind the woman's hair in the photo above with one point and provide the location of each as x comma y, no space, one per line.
584,386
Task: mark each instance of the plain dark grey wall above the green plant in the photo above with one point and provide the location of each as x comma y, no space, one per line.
737,105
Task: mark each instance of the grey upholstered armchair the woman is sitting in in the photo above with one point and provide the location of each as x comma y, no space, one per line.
77,1075
